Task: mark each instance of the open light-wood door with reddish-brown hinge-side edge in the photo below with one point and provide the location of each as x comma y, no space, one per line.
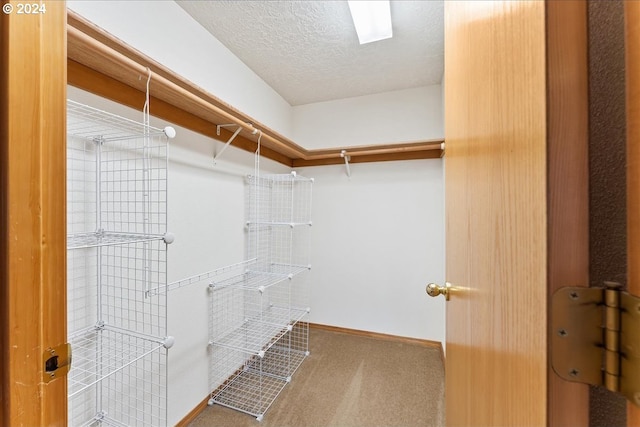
516,205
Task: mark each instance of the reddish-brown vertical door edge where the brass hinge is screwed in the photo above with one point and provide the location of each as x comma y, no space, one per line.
567,181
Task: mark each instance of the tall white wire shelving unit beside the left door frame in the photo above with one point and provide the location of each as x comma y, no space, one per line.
116,252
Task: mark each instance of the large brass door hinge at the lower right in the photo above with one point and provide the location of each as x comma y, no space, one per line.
596,338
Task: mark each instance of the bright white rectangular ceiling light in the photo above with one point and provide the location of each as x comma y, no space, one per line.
372,19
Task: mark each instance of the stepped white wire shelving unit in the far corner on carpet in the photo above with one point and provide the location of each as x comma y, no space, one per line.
258,319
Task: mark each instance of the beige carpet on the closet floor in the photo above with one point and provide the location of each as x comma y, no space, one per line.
350,380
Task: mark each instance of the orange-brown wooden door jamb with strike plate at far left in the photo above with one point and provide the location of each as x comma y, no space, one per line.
32,209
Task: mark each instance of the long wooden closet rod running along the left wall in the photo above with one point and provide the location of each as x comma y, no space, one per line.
107,54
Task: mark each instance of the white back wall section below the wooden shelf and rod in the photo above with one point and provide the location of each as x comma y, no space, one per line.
378,239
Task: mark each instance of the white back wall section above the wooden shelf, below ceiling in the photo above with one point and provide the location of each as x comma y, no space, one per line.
398,116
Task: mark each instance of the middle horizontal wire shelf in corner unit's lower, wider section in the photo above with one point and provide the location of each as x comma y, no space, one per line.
257,335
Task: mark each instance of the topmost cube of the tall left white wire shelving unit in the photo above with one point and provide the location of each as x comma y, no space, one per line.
117,175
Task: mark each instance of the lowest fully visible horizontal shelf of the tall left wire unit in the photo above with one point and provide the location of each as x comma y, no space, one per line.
97,354
